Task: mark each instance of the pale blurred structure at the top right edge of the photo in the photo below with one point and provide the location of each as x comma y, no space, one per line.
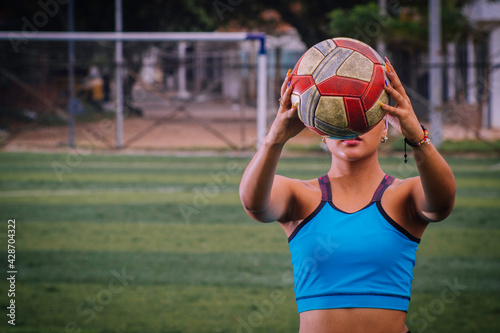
485,15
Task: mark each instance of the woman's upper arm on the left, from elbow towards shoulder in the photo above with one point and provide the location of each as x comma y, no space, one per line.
280,201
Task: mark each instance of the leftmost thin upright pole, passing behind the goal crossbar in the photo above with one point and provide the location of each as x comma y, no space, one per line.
71,75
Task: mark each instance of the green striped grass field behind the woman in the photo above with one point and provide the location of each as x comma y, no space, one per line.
161,244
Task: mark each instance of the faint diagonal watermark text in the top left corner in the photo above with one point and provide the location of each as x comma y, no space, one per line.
49,8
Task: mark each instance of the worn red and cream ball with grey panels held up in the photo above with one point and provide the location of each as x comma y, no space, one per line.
338,85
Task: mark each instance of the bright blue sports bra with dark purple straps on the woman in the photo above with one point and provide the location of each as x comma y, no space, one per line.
352,260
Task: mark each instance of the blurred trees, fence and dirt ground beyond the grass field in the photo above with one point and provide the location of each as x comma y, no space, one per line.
209,88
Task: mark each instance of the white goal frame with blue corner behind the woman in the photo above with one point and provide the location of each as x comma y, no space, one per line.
17,37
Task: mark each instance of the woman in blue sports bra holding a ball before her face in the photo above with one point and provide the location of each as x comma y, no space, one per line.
353,233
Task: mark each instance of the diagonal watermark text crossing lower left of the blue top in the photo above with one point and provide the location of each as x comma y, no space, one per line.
265,309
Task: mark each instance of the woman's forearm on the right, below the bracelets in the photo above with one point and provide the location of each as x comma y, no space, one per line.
438,182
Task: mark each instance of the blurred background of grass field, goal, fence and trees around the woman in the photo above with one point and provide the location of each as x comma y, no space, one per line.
122,168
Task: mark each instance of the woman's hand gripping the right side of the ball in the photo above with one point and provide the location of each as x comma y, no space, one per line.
401,116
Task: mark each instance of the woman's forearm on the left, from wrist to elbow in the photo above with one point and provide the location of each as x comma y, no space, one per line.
257,181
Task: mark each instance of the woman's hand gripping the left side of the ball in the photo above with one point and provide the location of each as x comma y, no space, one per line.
287,123
